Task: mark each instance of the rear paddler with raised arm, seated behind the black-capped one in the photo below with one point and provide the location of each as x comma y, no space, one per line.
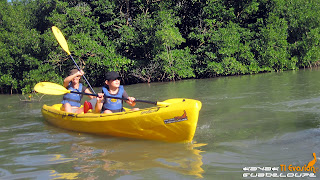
72,101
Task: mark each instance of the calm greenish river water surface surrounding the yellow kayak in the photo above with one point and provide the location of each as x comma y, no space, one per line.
262,120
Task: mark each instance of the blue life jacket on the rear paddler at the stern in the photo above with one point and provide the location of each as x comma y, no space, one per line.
72,98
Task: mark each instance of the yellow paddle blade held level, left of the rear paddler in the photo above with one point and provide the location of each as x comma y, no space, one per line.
50,88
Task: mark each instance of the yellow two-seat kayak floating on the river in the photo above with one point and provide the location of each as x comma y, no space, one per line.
175,122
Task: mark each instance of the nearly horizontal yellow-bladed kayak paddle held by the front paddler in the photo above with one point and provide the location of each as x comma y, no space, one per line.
56,89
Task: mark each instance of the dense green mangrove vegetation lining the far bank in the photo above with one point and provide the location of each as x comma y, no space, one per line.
154,40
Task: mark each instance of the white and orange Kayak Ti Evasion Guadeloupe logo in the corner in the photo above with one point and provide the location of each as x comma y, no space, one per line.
290,171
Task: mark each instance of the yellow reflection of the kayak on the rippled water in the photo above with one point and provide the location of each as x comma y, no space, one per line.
124,157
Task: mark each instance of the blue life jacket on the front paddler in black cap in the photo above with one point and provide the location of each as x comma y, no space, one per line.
110,103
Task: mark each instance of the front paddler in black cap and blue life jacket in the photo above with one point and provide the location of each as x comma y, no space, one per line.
113,89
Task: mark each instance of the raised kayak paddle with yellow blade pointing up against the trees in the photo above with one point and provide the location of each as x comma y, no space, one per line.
63,43
